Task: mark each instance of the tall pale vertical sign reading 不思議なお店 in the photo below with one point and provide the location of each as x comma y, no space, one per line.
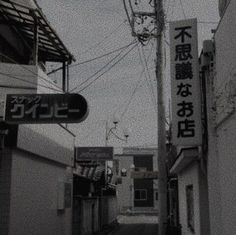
185,86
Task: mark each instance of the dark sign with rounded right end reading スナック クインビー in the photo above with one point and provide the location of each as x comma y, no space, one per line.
45,108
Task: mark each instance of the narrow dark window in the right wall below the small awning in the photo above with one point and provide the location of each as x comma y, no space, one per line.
190,207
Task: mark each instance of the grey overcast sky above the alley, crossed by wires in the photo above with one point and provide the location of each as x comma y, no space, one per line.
90,28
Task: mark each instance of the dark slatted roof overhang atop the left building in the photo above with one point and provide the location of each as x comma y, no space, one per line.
22,15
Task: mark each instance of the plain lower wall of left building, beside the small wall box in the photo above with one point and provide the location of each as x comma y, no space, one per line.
34,195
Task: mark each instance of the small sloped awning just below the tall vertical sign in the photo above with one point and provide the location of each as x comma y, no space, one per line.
186,156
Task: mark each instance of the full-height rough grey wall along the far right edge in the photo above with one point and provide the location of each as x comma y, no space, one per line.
222,161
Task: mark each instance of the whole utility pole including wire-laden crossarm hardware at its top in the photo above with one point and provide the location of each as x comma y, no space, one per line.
158,14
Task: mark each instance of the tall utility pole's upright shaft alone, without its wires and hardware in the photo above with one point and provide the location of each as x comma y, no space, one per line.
162,174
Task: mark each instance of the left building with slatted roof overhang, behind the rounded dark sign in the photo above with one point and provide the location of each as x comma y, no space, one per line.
35,160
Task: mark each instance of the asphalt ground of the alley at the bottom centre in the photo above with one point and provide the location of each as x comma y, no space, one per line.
137,225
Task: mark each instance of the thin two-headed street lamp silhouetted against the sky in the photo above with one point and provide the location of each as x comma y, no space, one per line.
111,131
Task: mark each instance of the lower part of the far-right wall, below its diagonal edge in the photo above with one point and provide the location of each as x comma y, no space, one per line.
227,153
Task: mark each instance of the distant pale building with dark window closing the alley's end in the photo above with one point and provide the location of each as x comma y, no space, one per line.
138,190
